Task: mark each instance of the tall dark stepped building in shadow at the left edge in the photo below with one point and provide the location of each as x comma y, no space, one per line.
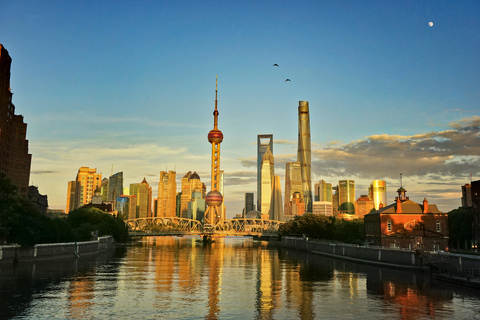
15,160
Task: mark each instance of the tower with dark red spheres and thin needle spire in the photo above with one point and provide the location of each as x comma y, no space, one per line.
214,198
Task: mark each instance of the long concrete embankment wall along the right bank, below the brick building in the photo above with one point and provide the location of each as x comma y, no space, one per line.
376,255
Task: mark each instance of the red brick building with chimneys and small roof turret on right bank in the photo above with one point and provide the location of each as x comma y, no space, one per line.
406,224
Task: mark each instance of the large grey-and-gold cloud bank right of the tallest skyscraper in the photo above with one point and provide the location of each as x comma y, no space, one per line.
453,153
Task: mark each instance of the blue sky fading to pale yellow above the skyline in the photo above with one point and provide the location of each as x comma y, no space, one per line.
393,88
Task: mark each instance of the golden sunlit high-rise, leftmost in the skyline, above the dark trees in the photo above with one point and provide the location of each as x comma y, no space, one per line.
83,188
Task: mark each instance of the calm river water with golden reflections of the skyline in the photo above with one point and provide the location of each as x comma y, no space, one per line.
233,278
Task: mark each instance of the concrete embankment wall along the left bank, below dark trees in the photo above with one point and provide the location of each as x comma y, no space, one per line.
10,253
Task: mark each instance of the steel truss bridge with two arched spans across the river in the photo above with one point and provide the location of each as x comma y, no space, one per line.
184,226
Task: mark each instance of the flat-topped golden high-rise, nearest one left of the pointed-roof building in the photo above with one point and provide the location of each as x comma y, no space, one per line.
167,193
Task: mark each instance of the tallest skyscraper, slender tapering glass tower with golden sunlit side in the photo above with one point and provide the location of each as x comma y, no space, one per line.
304,153
